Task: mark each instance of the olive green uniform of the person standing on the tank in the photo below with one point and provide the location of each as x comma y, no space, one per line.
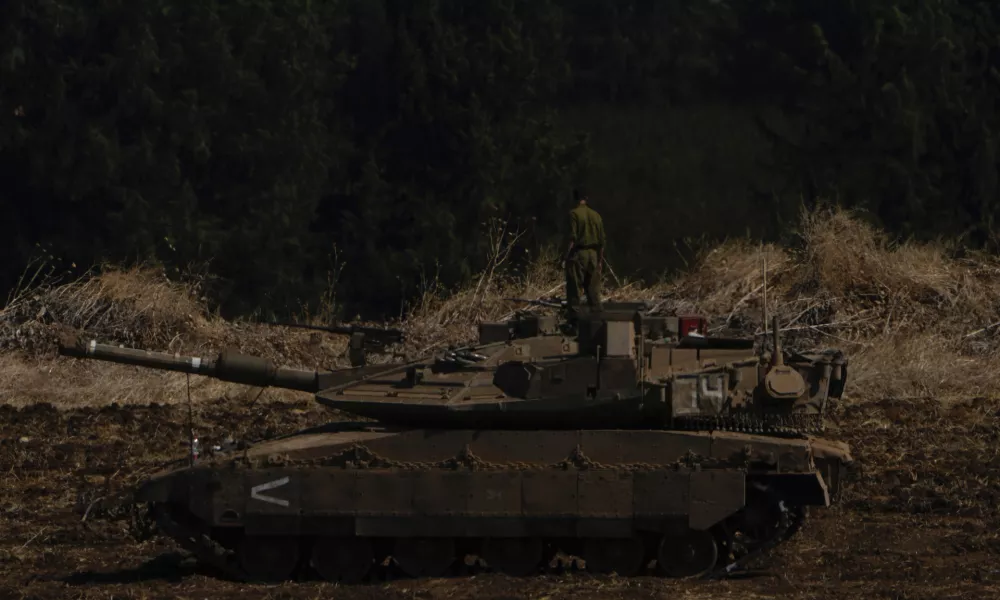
582,269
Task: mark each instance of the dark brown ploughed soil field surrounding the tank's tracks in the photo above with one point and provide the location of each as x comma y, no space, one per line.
891,537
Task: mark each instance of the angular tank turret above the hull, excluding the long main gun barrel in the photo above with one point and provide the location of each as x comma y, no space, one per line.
623,369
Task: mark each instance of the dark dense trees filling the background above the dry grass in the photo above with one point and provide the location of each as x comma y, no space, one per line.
285,144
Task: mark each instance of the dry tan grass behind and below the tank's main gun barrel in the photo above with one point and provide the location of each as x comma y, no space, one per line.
138,307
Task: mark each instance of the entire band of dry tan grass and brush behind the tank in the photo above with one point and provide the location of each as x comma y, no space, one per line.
917,319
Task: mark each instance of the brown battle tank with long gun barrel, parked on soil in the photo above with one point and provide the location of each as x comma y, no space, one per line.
636,443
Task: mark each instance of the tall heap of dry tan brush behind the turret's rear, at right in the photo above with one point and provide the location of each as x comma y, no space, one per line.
919,320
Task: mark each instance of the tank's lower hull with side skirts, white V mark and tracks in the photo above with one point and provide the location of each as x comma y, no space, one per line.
686,503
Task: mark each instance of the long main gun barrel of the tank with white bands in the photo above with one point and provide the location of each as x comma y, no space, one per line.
227,366
